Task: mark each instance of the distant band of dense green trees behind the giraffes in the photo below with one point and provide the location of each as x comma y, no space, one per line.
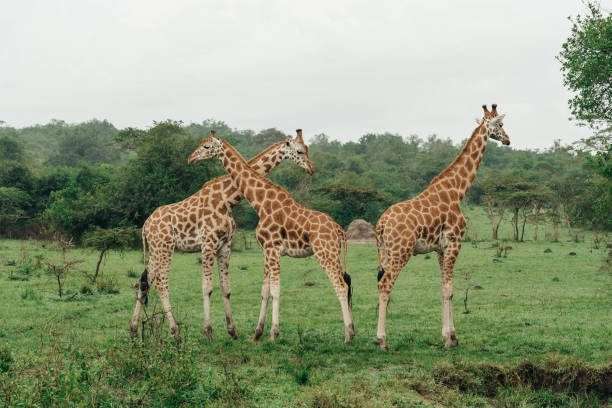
77,178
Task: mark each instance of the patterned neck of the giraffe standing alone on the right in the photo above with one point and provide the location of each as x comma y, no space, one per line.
460,174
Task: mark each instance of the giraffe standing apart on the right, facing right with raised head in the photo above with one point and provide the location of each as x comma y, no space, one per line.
432,221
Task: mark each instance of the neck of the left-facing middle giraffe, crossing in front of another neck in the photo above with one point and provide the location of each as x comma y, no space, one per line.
244,178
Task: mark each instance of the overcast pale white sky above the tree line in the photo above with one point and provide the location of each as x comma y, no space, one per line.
338,67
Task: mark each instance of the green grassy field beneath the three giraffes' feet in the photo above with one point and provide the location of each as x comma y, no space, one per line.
538,333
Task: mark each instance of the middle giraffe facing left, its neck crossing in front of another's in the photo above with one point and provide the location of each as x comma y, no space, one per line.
285,228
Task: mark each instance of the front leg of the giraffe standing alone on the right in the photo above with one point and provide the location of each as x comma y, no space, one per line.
447,261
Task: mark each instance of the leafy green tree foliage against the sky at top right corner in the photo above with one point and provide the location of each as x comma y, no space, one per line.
586,64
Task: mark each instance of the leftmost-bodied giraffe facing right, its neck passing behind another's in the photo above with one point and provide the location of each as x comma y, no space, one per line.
203,222
